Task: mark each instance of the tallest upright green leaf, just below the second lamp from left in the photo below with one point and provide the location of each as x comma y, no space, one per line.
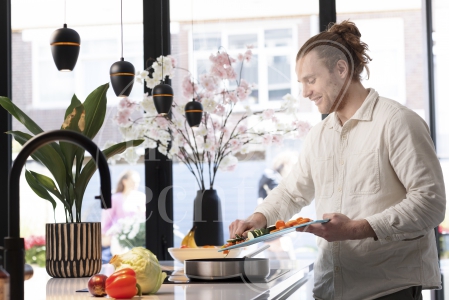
95,106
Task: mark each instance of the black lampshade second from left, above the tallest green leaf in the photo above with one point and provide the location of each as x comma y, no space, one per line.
122,77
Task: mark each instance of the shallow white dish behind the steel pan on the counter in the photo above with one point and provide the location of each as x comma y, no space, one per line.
181,254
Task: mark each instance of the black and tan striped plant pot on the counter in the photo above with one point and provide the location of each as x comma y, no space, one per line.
73,249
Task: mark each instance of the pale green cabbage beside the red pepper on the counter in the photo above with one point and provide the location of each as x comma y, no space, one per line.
148,271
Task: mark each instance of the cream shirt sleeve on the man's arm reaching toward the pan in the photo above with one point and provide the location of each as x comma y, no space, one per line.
293,192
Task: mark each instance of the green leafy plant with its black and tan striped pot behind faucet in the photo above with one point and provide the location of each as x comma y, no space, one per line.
73,248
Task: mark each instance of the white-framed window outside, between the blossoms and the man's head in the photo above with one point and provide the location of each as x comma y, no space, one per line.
270,68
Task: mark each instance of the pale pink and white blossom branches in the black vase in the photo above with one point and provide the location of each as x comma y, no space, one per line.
228,125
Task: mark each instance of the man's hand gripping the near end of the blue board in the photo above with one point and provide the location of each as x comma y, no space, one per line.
340,228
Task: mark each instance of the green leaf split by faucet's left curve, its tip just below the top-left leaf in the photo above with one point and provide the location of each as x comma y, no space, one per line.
48,156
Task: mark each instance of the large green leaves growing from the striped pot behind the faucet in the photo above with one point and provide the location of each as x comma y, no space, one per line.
65,160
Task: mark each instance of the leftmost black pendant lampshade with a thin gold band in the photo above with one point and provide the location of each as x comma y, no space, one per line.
65,48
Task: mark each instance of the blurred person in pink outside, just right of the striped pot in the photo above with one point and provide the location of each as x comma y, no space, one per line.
128,208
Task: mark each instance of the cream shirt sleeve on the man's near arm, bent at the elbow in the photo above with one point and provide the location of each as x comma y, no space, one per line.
412,156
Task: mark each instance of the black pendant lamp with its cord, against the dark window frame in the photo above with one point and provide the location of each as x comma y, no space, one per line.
162,93
